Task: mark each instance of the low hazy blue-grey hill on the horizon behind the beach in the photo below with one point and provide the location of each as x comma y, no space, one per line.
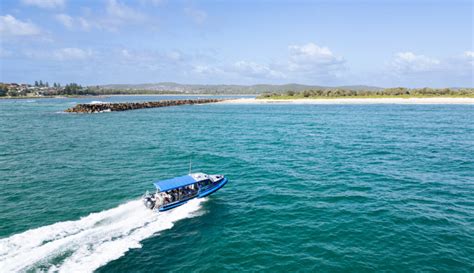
227,89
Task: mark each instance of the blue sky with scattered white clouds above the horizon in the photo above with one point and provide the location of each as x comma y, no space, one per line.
362,42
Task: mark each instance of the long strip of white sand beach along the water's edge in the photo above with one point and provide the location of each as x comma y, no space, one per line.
355,101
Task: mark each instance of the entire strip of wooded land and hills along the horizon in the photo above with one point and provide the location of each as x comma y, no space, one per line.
289,91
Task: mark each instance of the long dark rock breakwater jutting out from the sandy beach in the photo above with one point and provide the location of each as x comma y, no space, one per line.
124,106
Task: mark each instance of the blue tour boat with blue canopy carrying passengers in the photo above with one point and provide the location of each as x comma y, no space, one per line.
174,192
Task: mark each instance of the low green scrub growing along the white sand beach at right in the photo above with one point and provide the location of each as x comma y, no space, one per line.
399,92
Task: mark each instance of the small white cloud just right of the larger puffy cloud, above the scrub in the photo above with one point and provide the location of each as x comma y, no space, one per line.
408,62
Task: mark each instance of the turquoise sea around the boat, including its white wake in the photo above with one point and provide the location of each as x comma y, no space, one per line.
330,188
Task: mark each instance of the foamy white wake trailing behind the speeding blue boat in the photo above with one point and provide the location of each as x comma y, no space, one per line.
90,242
